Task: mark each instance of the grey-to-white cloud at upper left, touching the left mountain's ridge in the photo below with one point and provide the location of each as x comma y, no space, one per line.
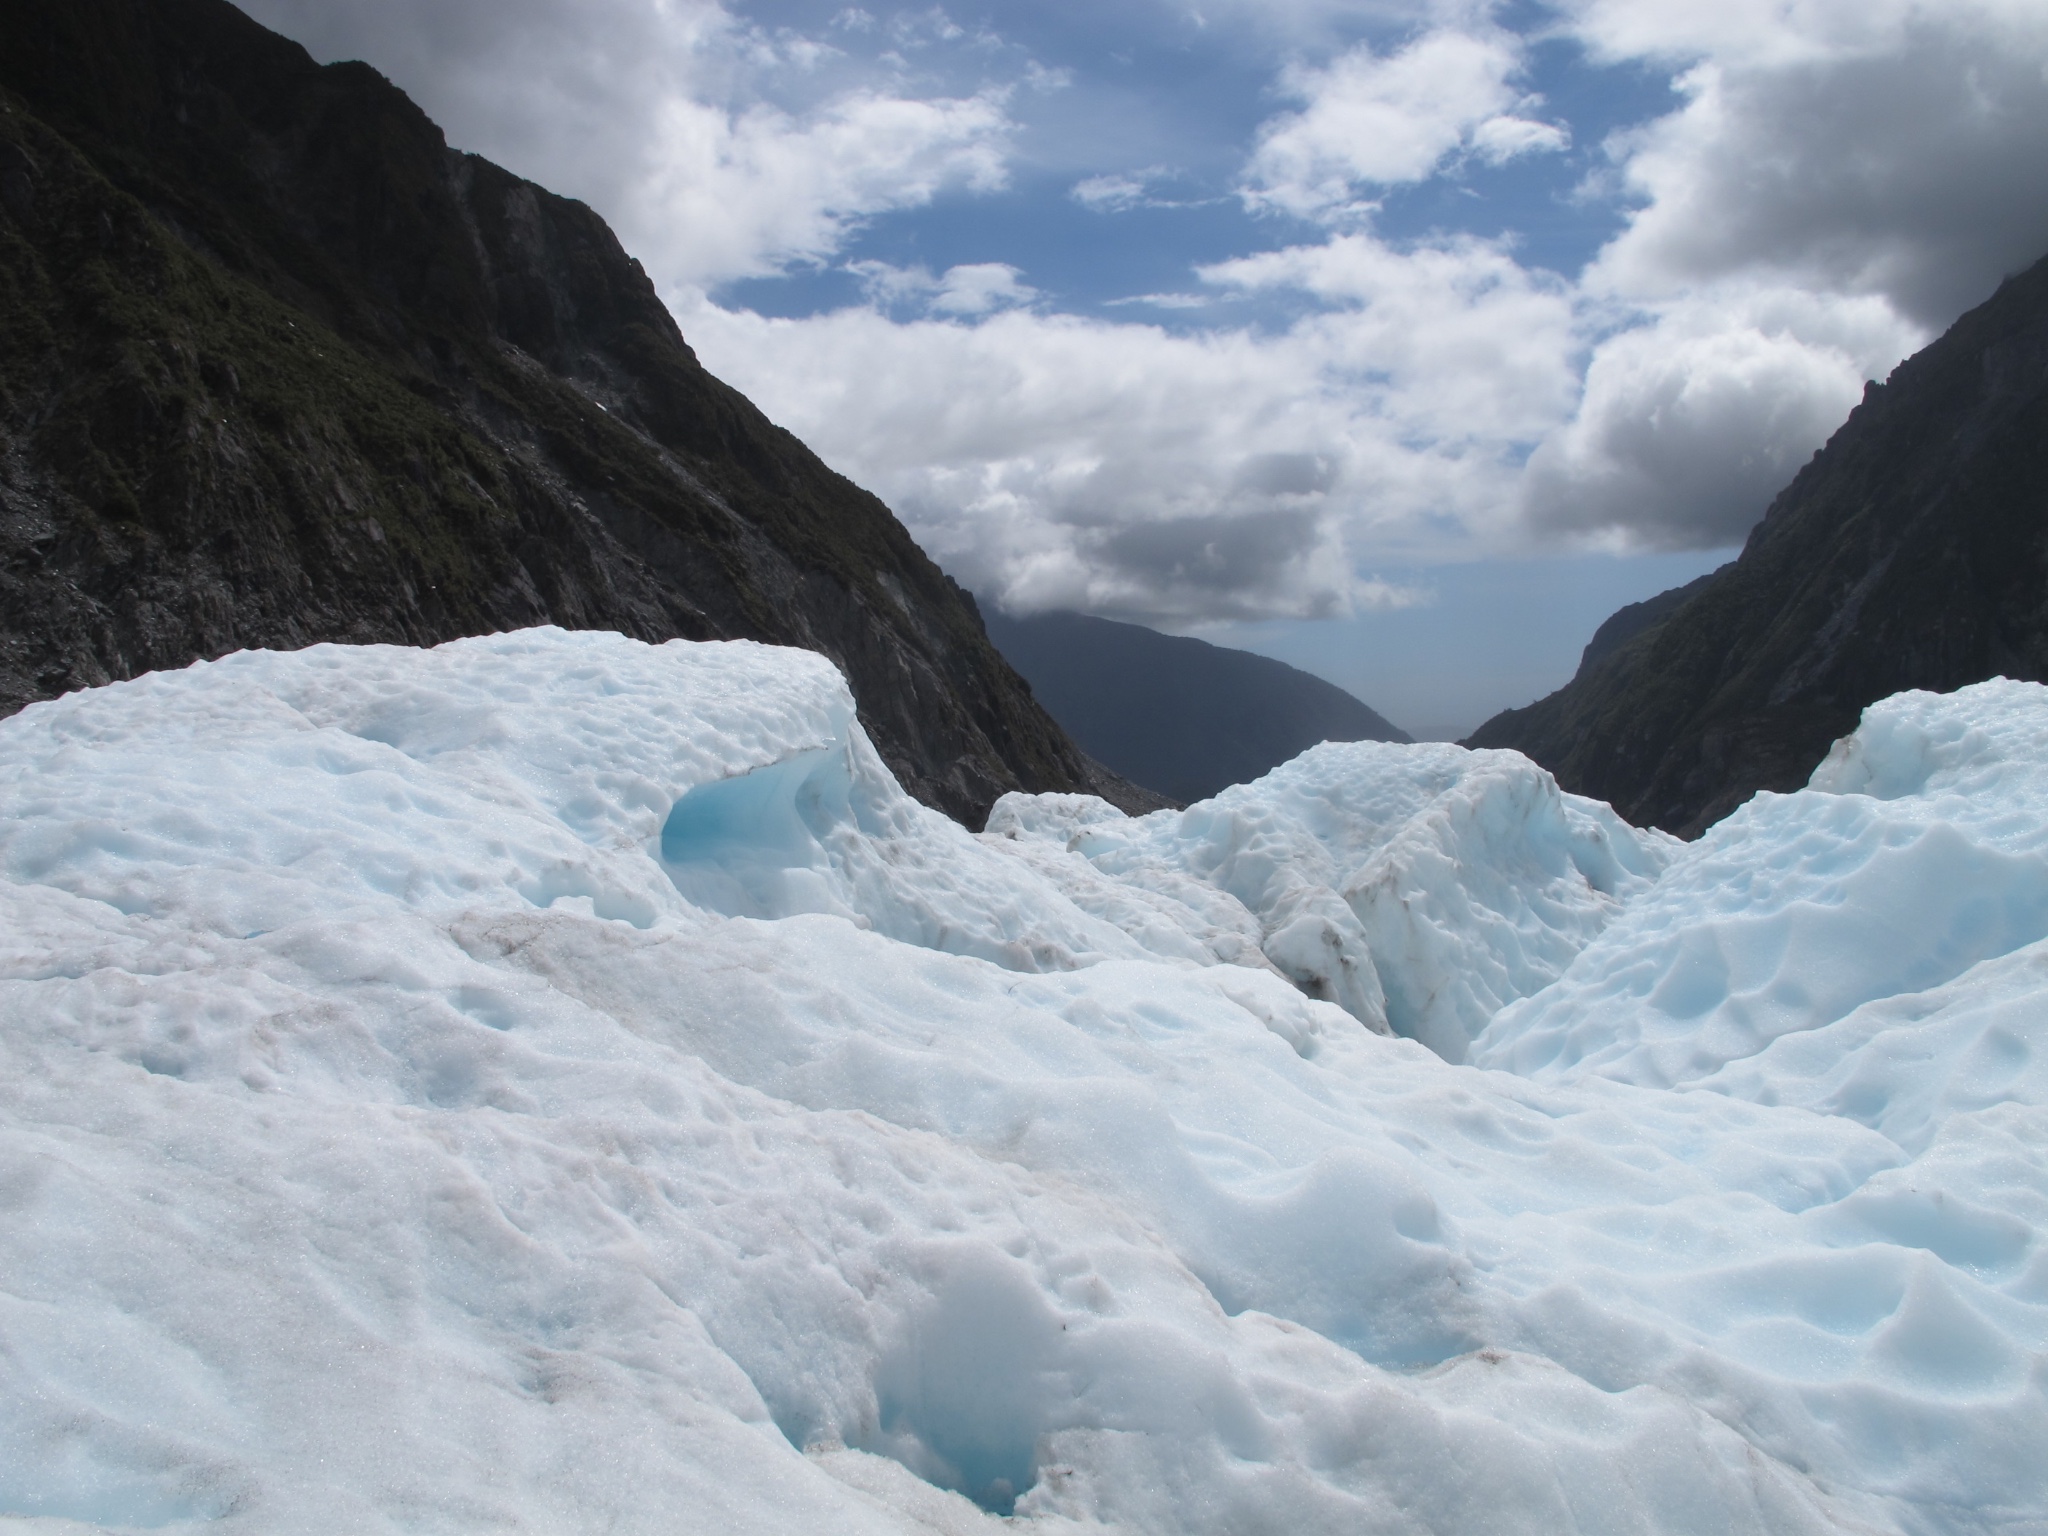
714,146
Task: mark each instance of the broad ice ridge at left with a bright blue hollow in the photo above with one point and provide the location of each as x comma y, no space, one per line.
534,769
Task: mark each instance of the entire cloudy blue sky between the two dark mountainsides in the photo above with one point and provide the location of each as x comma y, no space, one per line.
1398,339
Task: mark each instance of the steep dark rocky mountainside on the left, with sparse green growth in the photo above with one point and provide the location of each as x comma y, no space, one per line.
280,368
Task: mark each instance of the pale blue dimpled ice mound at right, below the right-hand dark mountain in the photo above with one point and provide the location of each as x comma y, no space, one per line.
1918,851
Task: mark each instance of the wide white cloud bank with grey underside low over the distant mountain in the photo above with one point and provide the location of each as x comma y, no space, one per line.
1226,474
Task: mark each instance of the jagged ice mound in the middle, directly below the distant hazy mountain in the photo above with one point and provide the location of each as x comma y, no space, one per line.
1420,888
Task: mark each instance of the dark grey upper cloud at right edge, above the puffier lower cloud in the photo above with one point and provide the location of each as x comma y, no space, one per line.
1908,167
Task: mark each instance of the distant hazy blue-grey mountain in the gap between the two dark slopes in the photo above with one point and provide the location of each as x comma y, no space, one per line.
1179,716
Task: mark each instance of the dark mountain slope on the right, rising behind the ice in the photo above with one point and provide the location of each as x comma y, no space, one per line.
1912,552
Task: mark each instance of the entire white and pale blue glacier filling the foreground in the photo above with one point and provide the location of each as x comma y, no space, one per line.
562,1084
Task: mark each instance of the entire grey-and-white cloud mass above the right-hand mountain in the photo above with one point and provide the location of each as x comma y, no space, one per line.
1838,185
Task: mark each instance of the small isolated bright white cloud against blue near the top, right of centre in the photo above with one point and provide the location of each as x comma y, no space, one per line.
1385,120
